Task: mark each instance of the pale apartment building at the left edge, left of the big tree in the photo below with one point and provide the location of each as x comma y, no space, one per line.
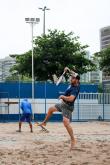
5,65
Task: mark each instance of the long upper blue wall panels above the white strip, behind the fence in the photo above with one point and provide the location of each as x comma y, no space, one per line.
42,90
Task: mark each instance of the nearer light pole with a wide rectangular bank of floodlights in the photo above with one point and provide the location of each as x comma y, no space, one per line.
32,21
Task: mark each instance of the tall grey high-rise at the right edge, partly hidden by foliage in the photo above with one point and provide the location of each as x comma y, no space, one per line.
105,43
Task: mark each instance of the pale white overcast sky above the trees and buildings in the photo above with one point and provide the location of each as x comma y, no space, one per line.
83,17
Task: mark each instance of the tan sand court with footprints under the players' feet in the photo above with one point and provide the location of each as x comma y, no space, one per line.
40,148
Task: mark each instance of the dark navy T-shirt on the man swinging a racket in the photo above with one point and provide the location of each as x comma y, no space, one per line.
72,90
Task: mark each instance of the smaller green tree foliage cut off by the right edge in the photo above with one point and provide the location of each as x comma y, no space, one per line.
103,58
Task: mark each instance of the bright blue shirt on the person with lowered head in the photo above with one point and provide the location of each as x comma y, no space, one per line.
26,107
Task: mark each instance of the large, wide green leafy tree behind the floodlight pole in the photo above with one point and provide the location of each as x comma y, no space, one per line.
52,52
